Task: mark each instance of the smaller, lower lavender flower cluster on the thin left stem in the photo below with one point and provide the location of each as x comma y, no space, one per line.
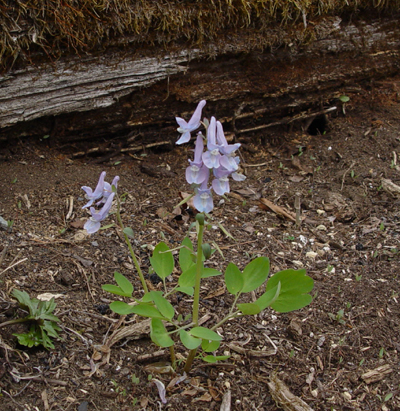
104,193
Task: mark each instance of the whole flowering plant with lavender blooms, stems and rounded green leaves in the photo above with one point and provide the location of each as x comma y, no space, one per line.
285,291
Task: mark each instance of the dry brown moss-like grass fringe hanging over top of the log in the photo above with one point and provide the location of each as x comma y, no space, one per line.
31,27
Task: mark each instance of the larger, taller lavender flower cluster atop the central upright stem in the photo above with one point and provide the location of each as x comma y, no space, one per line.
219,159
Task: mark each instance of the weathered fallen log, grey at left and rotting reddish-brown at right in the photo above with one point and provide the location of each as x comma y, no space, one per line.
117,93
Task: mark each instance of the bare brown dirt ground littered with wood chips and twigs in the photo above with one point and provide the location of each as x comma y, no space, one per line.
348,243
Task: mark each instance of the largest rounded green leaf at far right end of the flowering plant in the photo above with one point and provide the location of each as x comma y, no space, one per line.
295,285
